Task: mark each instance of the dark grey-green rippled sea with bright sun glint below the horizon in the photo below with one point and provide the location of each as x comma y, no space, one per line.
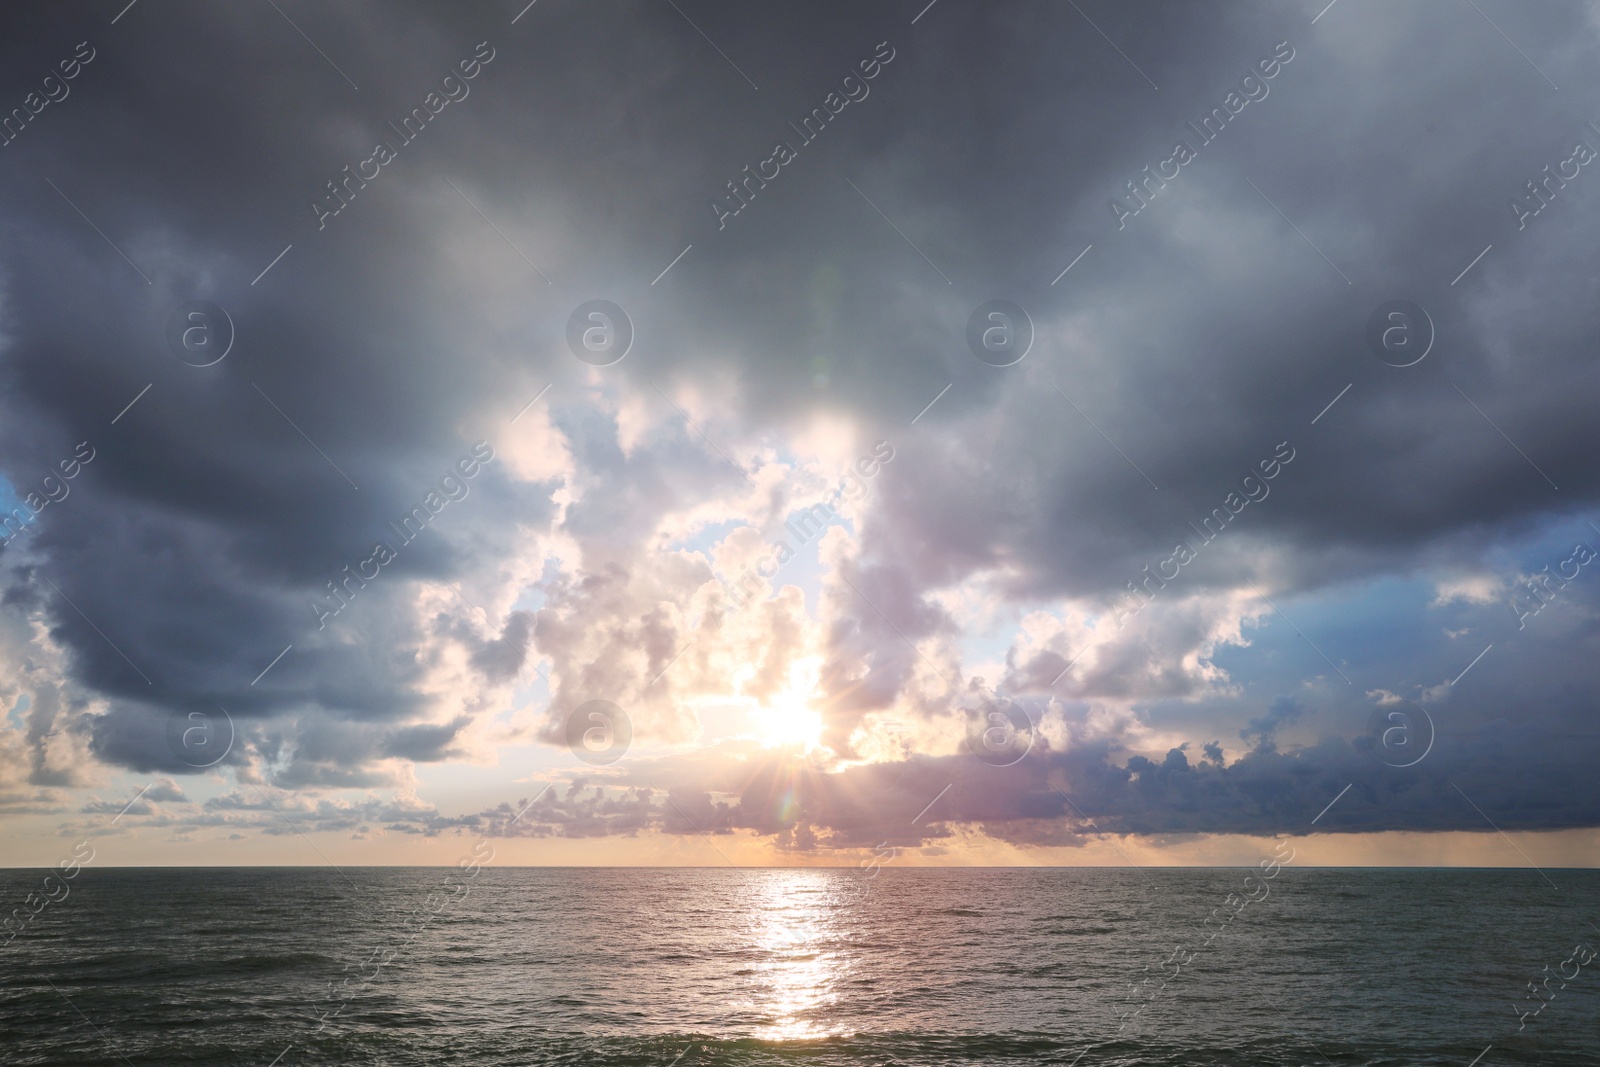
692,967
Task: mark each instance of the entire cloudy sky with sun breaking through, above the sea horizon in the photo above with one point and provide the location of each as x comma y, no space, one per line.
662,433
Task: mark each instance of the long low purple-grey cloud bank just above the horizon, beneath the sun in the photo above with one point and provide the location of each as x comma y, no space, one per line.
1070,799
